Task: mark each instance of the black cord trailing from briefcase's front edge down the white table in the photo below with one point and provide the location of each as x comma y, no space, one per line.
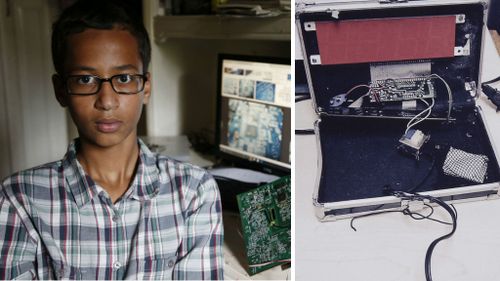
417,216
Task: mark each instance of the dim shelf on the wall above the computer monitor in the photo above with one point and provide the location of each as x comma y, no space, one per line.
222,27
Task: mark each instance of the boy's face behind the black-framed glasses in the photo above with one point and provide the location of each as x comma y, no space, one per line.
106,118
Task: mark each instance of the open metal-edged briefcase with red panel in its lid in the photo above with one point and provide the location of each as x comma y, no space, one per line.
394,85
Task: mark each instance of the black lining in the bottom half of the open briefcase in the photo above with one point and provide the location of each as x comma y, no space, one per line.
360,158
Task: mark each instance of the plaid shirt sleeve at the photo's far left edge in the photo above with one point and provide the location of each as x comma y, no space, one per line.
17,250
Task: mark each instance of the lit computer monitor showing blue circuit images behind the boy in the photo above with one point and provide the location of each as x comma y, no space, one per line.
254,112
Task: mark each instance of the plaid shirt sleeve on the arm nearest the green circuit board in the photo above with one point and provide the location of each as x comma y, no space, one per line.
201,256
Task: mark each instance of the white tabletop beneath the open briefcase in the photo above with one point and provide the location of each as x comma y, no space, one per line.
392,246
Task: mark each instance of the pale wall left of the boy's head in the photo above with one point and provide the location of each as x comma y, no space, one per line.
34,122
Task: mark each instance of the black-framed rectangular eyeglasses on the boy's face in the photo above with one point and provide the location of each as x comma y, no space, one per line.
124,84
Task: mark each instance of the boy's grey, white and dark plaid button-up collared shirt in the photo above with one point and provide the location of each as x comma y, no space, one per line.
57,223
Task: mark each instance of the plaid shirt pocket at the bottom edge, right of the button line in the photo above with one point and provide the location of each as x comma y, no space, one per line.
156,268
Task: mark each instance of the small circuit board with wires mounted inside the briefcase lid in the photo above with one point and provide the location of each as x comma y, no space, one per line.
401,89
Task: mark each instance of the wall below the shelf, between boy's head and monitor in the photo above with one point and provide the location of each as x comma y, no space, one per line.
185,79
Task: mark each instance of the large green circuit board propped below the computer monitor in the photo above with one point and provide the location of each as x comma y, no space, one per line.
266,222
